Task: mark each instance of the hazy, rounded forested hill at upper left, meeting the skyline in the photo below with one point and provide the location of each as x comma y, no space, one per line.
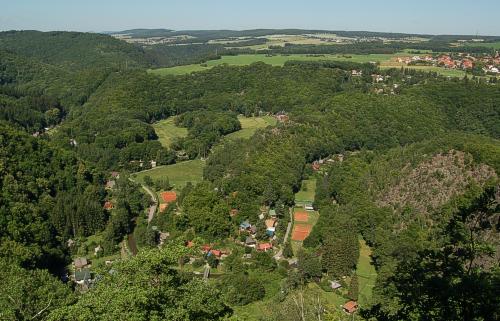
67,66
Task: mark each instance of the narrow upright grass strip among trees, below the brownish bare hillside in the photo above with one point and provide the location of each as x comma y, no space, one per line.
366,274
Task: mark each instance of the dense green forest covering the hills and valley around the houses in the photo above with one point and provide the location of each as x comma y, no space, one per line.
414,174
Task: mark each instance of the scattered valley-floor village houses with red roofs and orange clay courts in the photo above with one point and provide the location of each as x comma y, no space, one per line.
269,234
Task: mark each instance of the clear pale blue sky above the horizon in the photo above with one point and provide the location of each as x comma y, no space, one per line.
481,17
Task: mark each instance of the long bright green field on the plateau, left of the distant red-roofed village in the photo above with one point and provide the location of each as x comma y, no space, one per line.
278,60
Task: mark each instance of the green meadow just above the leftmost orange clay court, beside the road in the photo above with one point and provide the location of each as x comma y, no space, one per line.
178,174
